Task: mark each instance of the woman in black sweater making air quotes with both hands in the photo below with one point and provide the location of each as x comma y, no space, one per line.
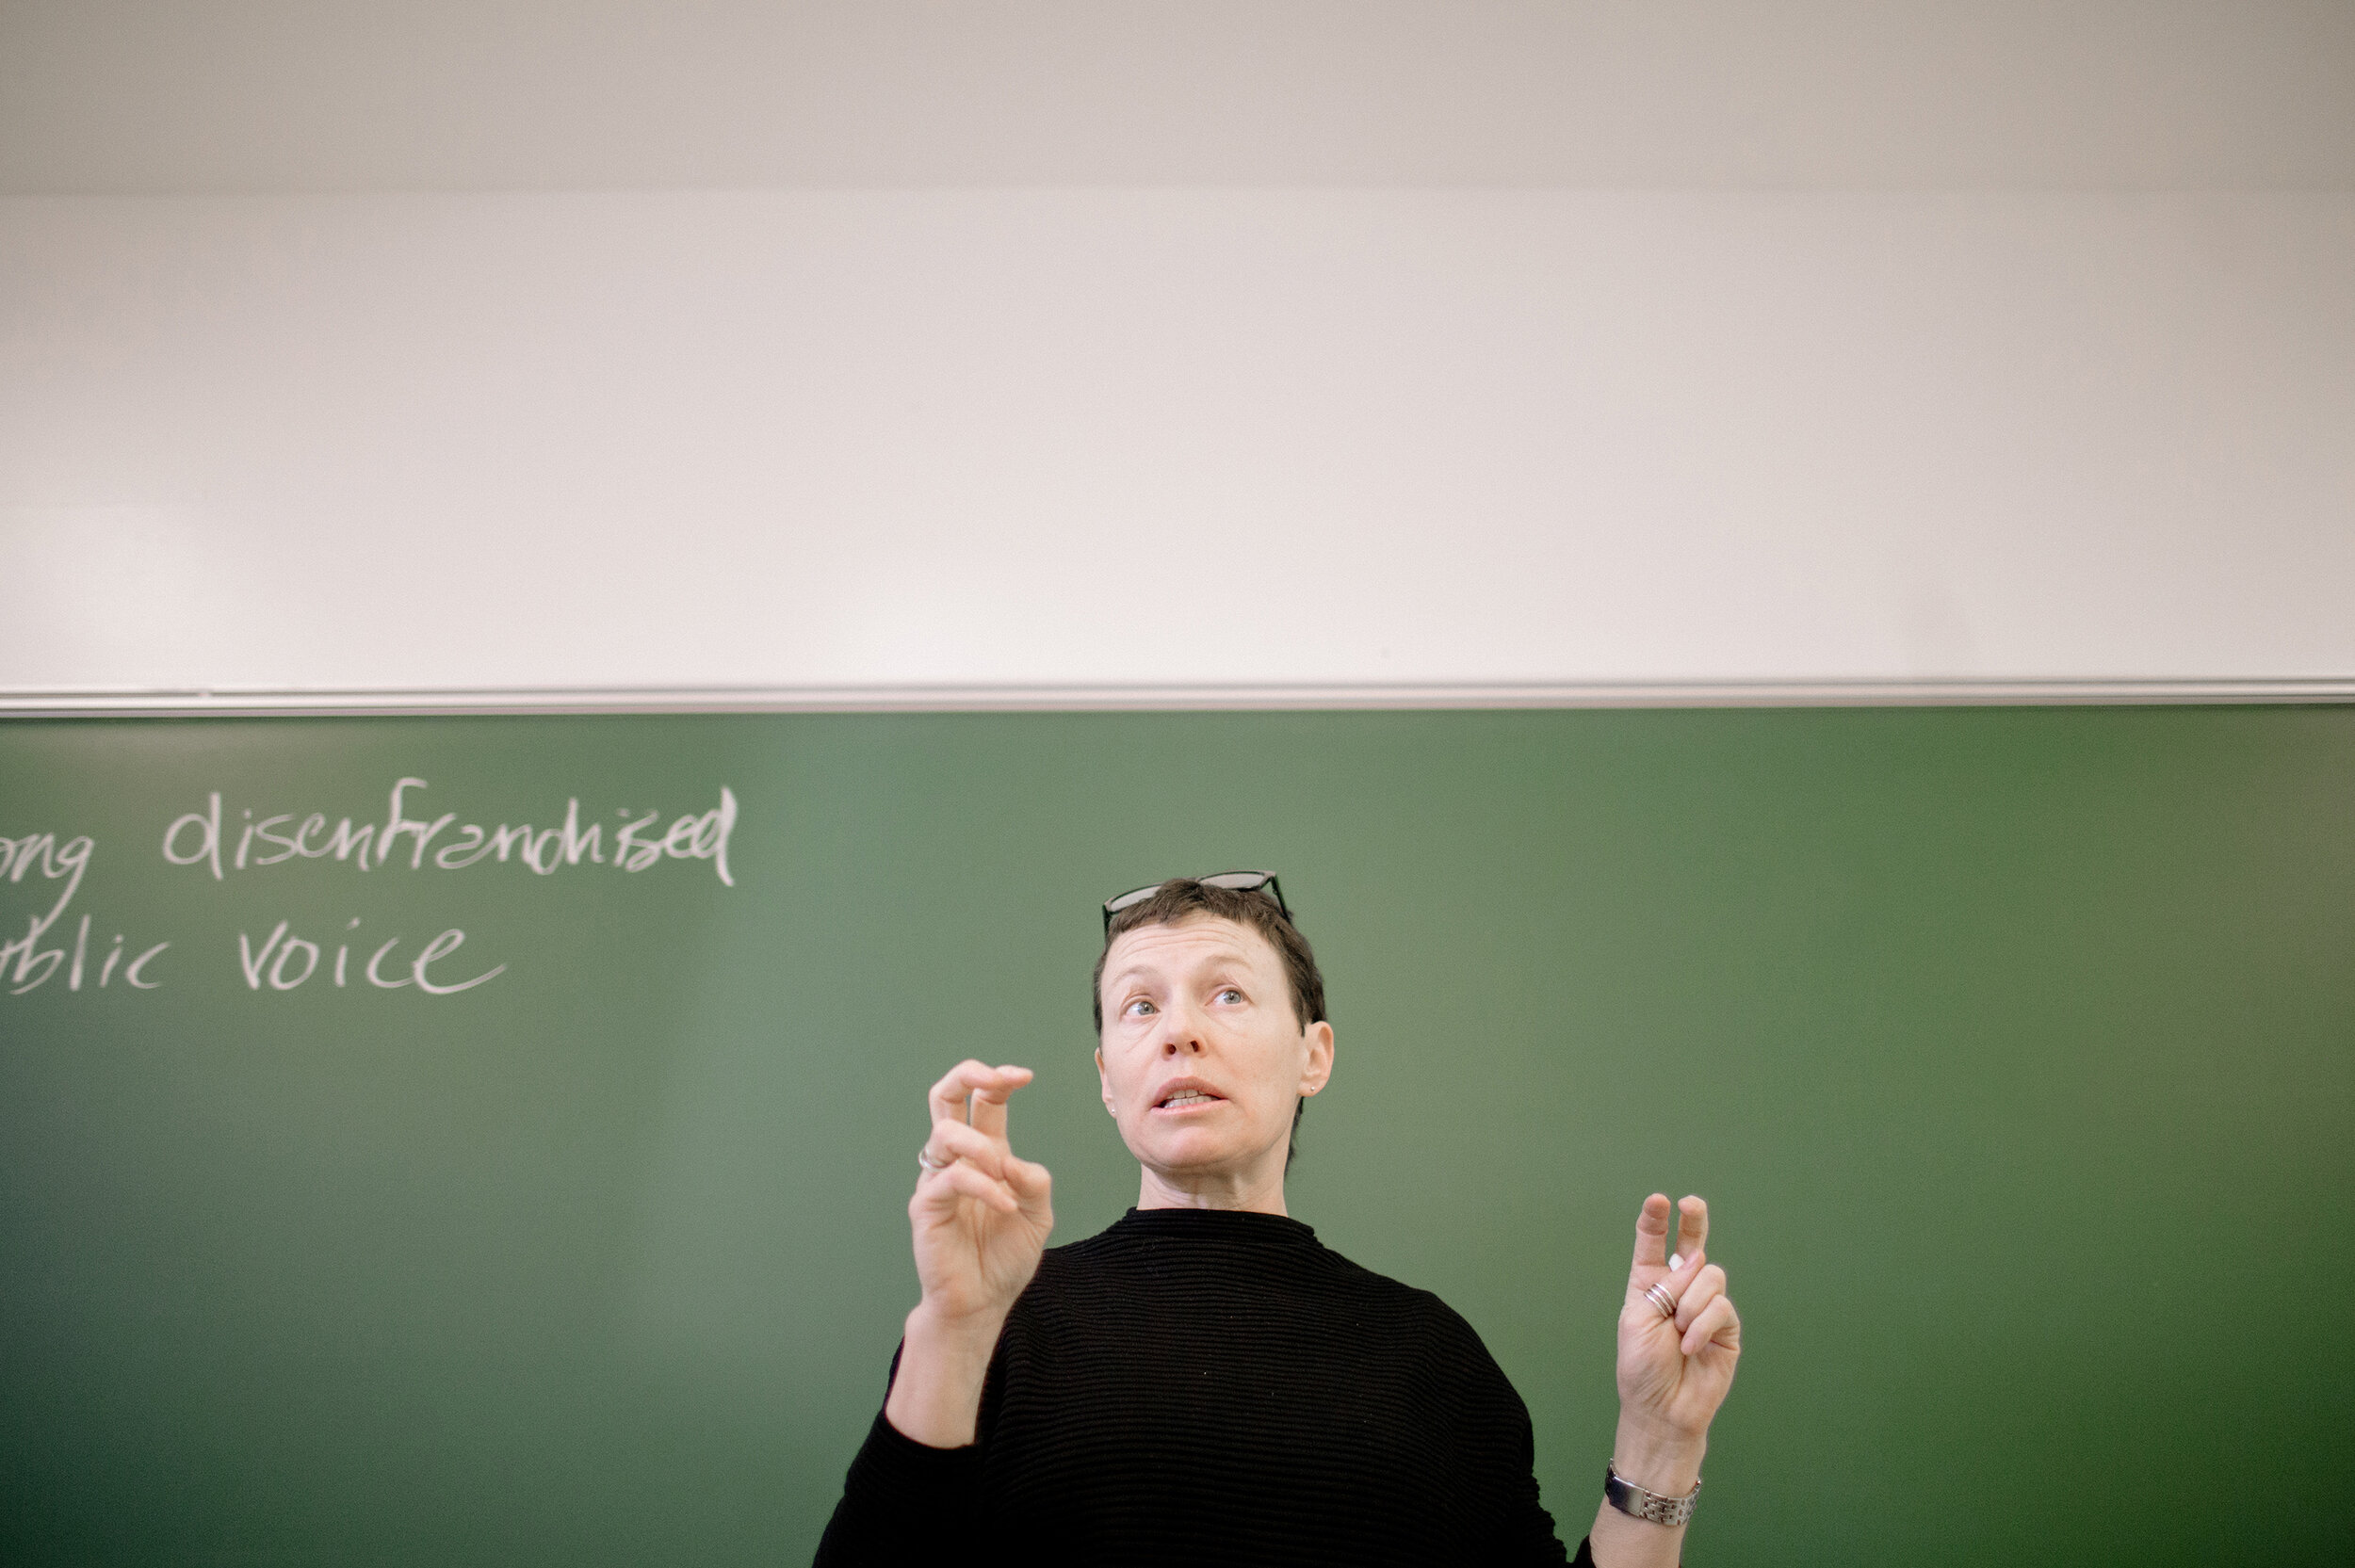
1207,1381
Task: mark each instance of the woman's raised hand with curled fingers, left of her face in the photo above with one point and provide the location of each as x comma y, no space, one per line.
981,1214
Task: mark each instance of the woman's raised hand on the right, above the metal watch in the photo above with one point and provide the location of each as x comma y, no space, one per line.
1673,1371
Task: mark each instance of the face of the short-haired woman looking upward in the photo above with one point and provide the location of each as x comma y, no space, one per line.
1202,1056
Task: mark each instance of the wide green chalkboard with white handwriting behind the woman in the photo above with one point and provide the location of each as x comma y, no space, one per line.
2012,1047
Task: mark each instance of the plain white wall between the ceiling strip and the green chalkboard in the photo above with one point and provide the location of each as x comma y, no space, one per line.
1153,434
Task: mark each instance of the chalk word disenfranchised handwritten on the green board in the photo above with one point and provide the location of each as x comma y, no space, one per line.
267,842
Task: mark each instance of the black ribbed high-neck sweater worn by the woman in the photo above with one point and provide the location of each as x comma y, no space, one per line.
1214,1388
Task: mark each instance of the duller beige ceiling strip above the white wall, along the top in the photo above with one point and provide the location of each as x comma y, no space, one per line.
133,98
